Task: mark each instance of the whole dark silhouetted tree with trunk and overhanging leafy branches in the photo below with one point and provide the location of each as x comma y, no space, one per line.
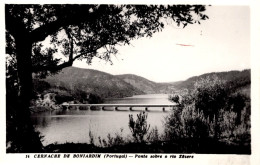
77,32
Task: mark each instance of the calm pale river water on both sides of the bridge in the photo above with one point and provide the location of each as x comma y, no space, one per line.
63,126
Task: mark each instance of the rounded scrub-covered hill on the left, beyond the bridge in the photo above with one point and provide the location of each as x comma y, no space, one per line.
92,81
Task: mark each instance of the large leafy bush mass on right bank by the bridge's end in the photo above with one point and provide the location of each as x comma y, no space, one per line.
212,109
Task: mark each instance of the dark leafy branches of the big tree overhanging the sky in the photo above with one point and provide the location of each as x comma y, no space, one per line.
93,28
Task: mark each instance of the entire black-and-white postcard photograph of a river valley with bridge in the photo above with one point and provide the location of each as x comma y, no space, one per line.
128,80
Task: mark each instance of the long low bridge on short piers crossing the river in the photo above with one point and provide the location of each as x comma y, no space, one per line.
118,107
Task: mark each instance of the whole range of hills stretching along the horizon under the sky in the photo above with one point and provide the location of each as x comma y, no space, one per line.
105,85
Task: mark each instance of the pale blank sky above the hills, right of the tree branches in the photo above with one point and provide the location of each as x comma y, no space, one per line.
221,43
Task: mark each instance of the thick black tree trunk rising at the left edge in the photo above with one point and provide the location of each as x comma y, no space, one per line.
26,140
